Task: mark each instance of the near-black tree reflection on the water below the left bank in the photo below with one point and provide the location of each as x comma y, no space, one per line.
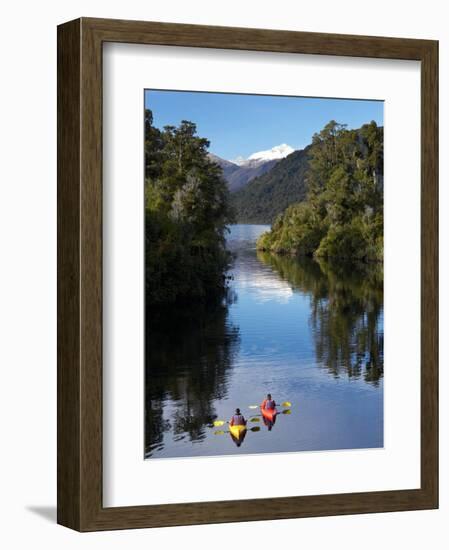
188,355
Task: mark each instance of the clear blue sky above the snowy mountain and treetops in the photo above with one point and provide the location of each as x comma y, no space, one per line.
239,125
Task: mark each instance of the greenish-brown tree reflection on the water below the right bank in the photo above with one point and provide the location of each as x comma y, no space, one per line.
346,311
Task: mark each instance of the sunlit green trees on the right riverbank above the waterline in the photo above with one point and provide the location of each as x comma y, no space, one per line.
342,215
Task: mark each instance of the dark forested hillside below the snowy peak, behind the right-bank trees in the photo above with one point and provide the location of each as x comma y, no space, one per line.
266,196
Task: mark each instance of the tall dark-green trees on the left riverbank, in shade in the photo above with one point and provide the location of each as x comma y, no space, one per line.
186,213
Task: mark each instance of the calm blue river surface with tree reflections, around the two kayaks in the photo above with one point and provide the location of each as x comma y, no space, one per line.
307,332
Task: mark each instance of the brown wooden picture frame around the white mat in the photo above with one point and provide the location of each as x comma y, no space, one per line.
80,504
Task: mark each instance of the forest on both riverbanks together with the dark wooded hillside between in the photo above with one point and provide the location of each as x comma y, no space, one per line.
336,184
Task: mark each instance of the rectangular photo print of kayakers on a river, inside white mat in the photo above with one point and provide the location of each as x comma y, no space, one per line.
263,274
